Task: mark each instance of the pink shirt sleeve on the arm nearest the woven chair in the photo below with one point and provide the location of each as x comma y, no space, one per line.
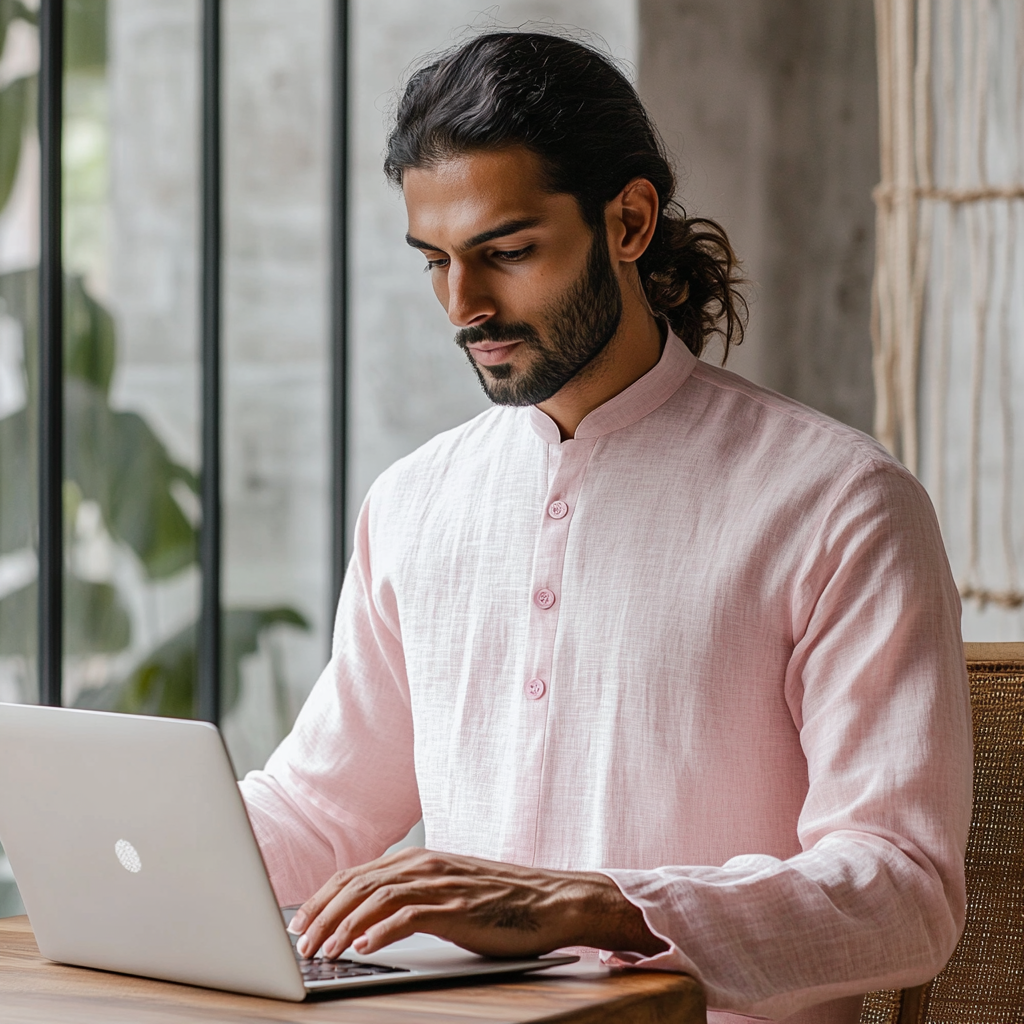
877,686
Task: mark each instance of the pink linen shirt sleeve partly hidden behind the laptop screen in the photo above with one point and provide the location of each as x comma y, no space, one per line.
342,787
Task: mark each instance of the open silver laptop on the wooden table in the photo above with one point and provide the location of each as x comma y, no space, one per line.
134,852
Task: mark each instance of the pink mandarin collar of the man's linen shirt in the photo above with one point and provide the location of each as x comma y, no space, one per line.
625,409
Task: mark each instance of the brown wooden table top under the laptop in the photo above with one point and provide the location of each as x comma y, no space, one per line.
34,991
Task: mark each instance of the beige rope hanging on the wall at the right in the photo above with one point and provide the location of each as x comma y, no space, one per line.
949,294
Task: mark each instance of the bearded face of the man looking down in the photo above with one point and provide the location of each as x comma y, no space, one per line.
528,283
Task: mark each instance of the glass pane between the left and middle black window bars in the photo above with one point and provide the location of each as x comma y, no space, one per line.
132,160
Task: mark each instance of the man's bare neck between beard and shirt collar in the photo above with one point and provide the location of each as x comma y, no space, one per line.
633,352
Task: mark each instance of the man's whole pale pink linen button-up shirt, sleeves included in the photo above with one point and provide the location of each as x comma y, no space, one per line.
709,647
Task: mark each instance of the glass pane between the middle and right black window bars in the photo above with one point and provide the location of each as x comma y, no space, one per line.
277,373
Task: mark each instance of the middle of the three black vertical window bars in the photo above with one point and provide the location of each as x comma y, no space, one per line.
210,323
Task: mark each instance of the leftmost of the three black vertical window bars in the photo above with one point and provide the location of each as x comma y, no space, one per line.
51,426
